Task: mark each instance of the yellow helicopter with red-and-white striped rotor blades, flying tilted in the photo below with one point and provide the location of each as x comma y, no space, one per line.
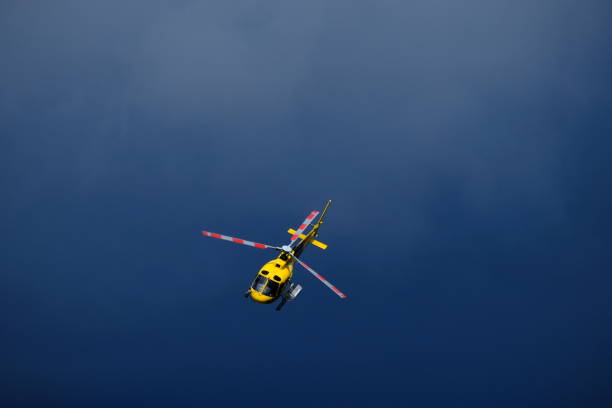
275,279
